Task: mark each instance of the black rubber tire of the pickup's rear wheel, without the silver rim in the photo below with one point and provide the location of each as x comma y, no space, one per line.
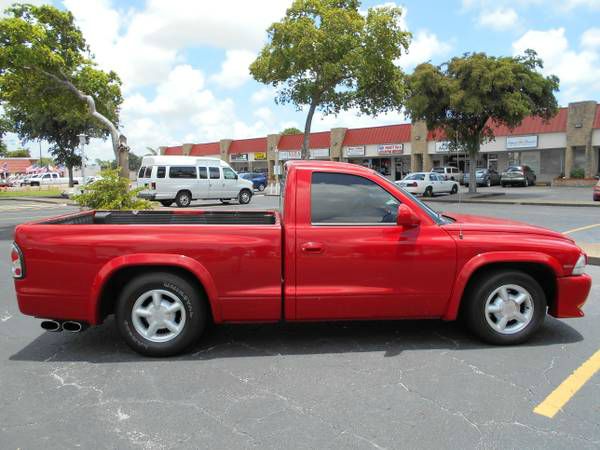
196,313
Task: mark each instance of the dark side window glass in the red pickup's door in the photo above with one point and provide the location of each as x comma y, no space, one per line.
340,199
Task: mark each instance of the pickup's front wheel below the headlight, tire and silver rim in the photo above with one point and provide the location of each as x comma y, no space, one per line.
505,307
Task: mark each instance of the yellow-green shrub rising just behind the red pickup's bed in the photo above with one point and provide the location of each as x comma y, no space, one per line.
111,192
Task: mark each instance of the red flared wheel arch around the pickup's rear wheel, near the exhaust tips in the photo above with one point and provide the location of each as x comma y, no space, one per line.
119,270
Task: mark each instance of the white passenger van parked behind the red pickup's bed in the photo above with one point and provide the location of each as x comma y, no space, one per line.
181,179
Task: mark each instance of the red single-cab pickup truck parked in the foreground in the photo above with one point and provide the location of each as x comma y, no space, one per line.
348,245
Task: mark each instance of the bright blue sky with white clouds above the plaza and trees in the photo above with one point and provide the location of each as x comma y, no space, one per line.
184,63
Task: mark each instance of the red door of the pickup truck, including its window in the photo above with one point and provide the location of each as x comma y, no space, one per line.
354,262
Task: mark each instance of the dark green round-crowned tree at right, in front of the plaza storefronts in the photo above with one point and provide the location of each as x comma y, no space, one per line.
468,95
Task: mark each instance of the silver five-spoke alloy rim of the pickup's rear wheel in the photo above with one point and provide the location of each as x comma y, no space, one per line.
158,315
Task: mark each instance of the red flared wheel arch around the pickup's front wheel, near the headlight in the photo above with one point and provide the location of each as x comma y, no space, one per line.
543,268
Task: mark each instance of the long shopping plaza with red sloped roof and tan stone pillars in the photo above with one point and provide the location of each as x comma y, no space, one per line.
553,148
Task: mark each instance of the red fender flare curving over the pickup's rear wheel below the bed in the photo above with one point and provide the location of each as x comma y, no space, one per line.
152,259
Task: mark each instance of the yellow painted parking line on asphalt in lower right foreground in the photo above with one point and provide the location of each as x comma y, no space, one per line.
568,388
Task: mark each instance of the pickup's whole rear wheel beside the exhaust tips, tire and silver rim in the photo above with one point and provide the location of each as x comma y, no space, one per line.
160,314
